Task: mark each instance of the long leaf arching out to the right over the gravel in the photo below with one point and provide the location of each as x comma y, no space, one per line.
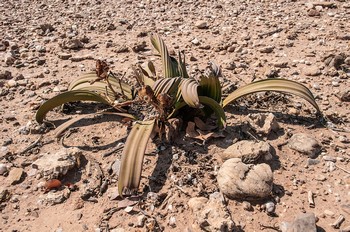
278,85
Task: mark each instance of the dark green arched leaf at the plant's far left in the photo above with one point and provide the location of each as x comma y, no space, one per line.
69,96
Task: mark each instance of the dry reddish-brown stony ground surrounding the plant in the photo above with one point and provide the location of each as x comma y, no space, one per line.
46,44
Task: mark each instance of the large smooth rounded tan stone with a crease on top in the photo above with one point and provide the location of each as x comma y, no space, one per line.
239,180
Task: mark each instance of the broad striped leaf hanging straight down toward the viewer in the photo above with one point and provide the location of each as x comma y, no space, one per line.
132,157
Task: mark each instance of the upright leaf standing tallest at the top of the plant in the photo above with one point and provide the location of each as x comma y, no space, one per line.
169,64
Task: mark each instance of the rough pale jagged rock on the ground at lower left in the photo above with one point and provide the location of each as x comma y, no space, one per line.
54,165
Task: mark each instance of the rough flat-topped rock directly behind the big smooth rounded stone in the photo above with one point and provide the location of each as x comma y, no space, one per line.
248,151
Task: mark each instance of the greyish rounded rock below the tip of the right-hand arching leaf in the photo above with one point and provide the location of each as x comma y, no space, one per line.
305,144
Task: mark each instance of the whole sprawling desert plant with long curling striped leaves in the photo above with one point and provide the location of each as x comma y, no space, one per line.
169,94
